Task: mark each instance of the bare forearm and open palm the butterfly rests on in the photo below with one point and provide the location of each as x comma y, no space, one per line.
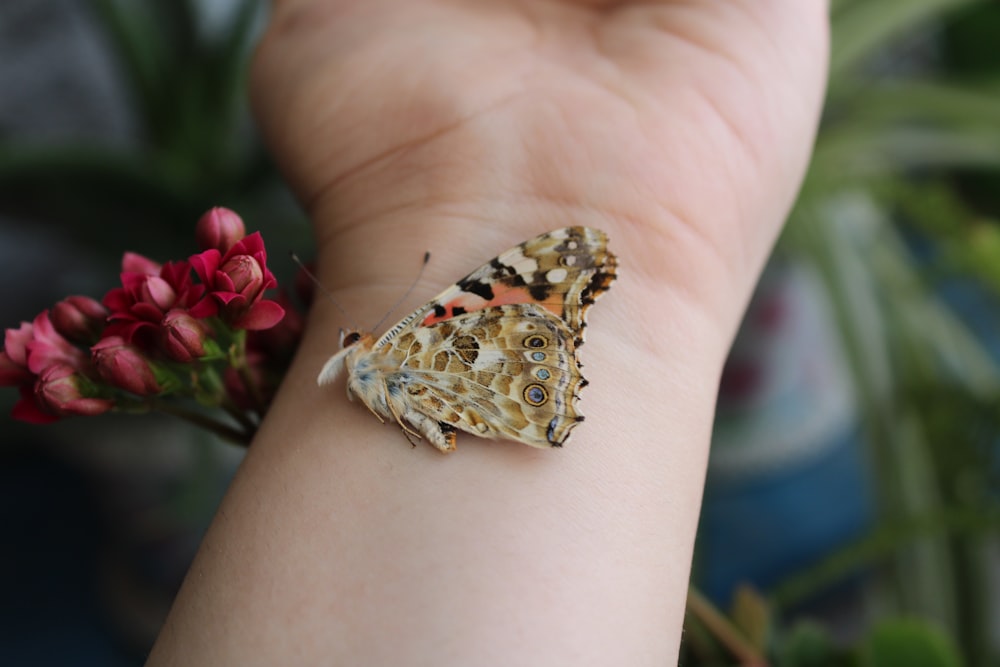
680,128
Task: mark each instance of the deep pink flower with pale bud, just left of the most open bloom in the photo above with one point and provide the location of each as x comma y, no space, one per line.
147,293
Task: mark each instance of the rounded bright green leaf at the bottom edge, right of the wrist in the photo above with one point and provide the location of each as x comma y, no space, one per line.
909,642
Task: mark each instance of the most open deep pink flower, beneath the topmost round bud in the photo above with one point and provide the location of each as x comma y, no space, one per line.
236,283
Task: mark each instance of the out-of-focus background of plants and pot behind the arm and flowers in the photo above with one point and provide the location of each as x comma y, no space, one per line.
852,514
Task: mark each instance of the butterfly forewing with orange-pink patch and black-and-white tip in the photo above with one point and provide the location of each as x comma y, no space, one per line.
563,271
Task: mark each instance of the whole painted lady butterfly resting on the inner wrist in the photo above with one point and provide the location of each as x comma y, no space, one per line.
495,354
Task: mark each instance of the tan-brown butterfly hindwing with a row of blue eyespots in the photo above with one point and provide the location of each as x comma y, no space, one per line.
507,372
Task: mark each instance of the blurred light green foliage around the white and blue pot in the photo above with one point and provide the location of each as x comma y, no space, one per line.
900,215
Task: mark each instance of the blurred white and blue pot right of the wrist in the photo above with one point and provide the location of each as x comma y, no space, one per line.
787,479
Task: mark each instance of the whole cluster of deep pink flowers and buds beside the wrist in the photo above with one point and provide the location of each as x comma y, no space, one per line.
193,331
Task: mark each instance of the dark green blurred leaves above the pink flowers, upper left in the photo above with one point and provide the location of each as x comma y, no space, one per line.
196,146
